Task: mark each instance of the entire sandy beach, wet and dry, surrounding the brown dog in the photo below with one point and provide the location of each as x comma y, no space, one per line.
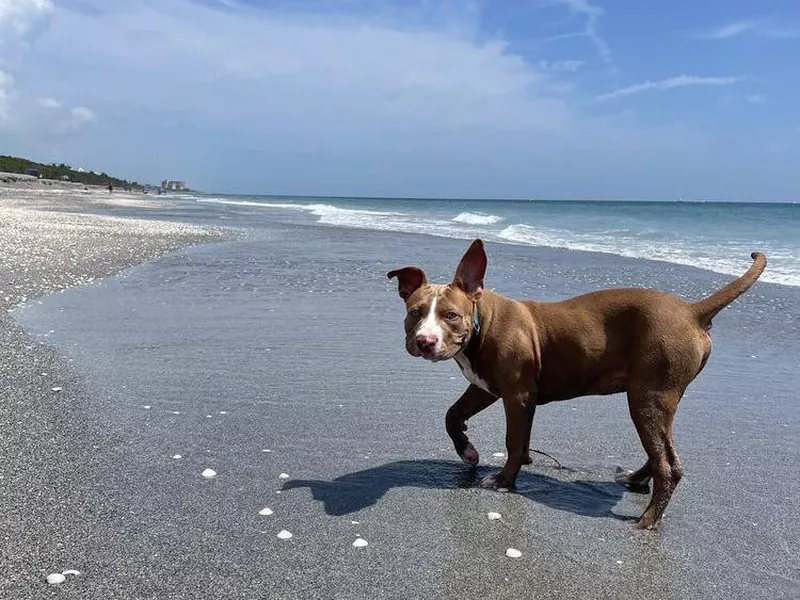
264,356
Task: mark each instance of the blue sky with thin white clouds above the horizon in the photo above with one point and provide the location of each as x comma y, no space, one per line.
546,98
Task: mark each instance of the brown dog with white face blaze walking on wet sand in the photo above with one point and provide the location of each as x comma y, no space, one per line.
646,343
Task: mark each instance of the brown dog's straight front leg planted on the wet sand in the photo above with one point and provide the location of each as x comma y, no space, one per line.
519,409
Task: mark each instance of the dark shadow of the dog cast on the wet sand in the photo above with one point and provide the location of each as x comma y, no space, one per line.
355,491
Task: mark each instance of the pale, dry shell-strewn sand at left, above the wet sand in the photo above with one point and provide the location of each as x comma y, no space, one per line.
49,241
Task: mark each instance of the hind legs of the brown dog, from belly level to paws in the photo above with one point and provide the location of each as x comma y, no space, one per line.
653,413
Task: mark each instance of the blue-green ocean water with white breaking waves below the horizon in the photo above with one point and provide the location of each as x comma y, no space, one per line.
714,236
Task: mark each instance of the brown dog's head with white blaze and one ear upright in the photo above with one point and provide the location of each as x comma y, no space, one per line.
439,318
